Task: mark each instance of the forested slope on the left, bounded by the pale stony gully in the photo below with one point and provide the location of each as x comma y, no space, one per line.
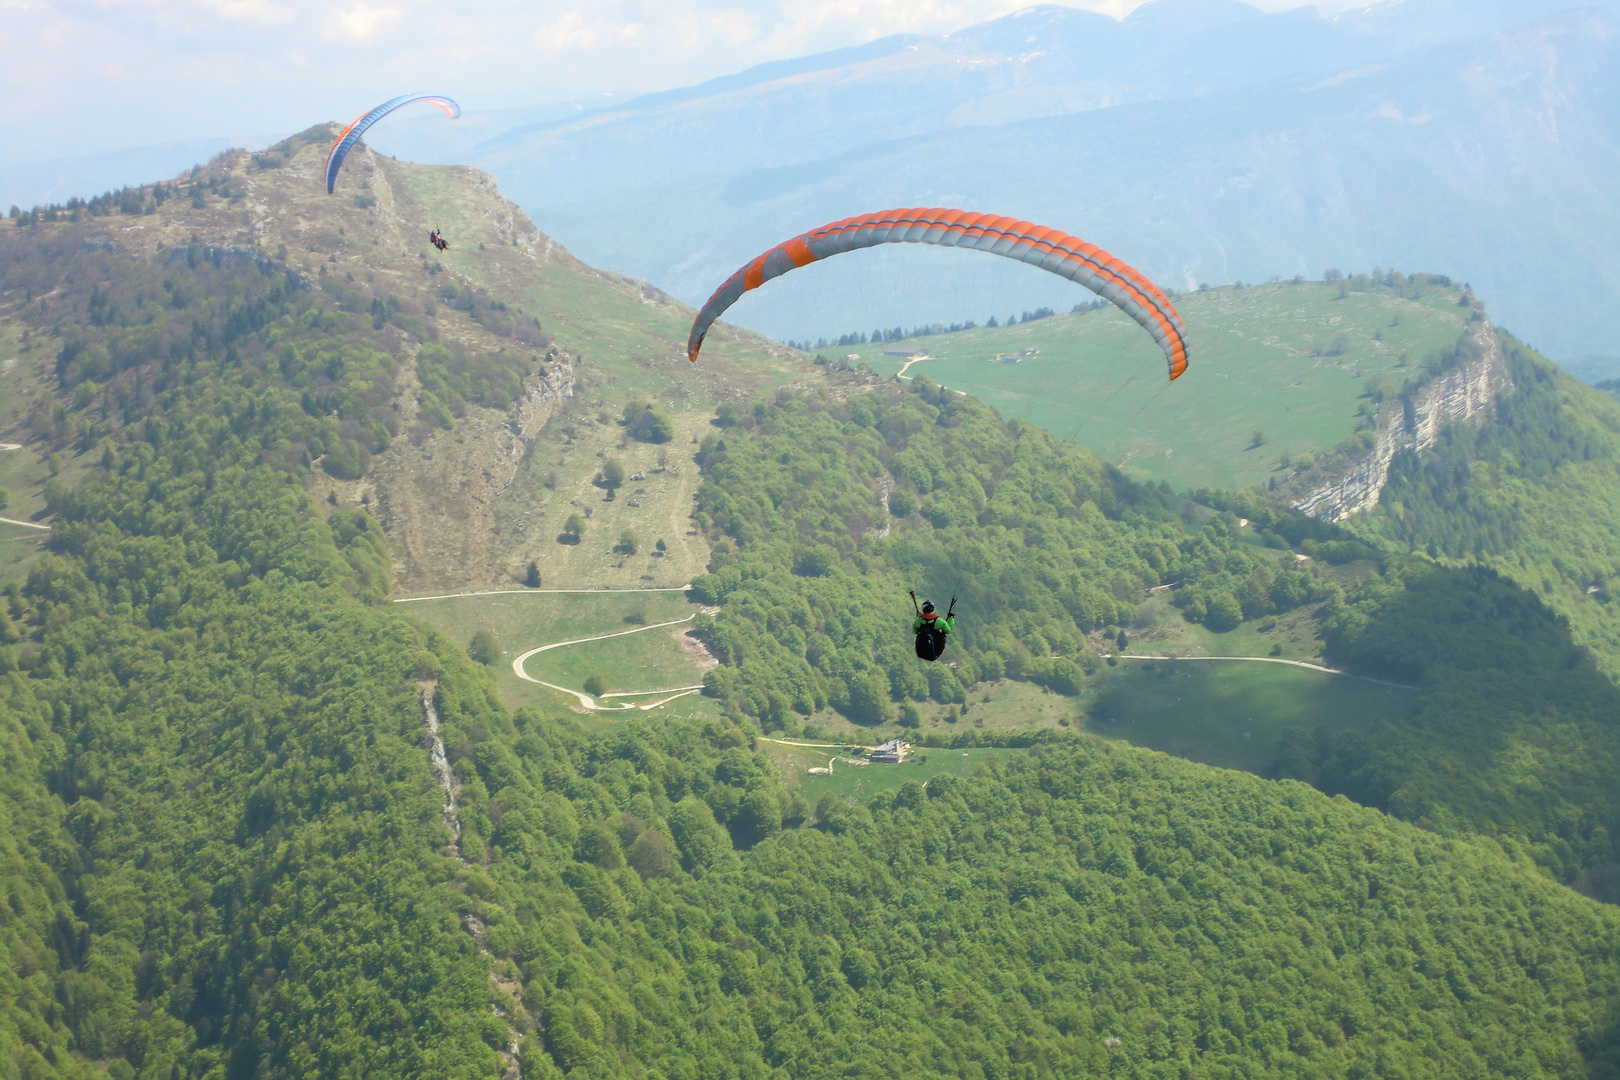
224,848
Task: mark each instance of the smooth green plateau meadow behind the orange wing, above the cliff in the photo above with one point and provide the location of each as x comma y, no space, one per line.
1289,360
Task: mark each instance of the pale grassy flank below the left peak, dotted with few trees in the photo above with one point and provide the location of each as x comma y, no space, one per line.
631,347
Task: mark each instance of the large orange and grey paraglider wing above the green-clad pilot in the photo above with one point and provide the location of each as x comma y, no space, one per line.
1049,249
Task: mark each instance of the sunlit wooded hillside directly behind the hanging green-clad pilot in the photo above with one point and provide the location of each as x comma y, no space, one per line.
840,508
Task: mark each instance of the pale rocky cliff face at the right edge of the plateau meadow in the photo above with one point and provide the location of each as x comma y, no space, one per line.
1464,393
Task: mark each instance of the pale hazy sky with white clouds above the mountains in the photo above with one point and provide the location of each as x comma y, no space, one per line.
85,77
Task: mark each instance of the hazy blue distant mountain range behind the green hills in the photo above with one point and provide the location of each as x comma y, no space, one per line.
1198,138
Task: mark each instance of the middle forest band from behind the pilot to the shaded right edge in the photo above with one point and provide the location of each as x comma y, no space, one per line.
1044,543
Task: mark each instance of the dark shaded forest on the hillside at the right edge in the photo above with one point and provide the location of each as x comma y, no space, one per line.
1514,734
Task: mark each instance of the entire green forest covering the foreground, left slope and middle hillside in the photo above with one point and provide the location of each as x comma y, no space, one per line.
226,853
